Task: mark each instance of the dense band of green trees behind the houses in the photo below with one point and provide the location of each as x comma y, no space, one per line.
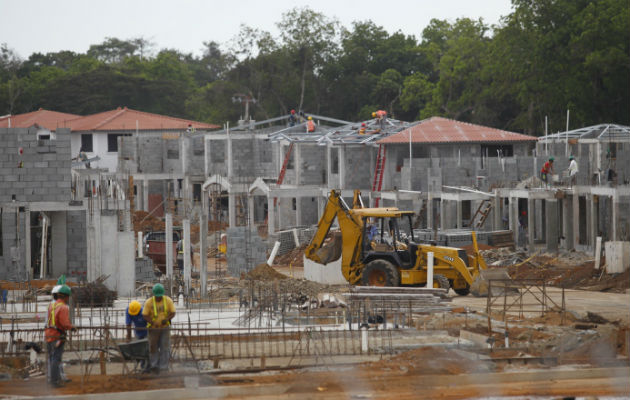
545,57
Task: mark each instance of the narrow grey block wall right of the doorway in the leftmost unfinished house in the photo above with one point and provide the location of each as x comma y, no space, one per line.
77,244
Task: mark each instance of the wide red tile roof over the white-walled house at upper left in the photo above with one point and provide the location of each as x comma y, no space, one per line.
124,119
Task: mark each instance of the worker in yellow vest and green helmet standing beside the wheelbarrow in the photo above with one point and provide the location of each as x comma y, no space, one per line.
158,311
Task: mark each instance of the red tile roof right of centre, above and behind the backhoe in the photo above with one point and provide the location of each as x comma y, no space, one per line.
444,130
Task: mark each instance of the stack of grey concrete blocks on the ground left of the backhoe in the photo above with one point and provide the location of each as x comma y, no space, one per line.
245,250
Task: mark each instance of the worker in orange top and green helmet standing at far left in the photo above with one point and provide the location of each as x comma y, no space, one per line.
57,325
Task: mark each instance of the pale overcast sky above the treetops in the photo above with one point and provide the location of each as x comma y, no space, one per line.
29,26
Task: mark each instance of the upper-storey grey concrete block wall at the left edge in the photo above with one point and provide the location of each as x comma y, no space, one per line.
45,174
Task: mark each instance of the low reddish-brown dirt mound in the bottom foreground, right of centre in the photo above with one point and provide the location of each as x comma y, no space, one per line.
430,361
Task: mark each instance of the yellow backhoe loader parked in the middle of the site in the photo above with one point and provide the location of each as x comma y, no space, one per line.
378,248
